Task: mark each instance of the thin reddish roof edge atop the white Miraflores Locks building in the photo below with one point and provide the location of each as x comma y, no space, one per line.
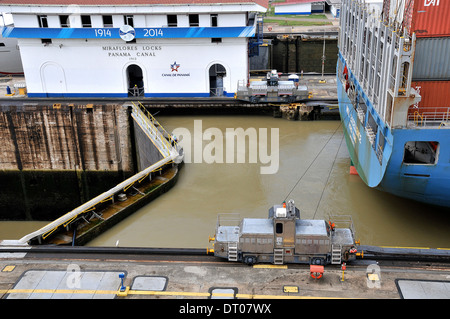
264,3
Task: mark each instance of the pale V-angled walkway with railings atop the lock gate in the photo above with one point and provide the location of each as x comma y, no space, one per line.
168,148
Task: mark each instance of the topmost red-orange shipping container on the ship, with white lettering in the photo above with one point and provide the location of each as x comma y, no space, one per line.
427,18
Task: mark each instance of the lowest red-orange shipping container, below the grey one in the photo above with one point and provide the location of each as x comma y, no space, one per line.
435,100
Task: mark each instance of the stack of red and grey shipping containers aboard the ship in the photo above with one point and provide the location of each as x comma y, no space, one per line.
429,21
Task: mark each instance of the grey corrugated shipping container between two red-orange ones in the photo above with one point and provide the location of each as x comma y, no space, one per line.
432,59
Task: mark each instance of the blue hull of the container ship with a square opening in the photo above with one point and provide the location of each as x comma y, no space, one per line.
386,168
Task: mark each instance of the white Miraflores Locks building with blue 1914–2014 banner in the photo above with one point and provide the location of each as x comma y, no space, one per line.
118,48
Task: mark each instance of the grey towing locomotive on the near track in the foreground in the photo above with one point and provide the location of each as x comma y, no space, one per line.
284,237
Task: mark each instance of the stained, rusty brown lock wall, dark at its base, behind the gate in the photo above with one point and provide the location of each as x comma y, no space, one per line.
52,159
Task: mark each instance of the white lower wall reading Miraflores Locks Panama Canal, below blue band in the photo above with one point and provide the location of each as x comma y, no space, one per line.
87,68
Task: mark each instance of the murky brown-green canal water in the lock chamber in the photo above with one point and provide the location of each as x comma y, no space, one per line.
313,170
